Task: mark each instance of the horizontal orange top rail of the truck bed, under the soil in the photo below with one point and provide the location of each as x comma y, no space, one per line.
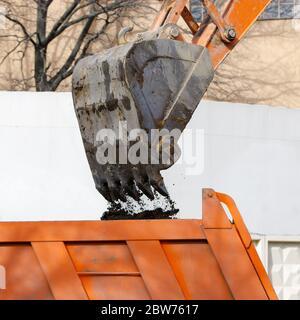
93,231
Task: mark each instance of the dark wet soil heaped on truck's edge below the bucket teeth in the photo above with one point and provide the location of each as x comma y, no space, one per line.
148,214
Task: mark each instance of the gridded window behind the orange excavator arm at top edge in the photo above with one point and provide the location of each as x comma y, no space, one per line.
277,9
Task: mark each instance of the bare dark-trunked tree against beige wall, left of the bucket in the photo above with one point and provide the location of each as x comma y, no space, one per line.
34,28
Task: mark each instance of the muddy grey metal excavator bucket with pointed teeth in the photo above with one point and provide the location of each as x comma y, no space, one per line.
146,86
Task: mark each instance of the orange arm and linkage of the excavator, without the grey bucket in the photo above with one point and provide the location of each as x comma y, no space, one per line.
239,14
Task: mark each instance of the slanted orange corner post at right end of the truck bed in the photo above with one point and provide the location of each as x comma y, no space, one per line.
230,252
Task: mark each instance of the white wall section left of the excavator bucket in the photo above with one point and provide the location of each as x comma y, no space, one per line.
44,174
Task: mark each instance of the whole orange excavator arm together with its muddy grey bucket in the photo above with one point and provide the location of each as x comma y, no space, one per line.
153,83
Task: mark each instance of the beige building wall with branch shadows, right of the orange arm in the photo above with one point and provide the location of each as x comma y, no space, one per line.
257,72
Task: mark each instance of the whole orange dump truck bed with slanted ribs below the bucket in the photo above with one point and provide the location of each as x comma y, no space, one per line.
211,258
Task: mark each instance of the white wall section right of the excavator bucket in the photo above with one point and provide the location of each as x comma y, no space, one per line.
253,154
